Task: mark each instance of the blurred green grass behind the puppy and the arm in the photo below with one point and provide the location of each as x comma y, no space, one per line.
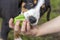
55,4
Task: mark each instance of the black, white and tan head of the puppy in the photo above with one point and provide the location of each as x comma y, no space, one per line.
34,9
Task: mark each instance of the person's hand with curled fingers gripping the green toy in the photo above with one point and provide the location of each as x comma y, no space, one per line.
25,29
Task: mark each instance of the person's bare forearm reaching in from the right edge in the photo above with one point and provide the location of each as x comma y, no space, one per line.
49,27
